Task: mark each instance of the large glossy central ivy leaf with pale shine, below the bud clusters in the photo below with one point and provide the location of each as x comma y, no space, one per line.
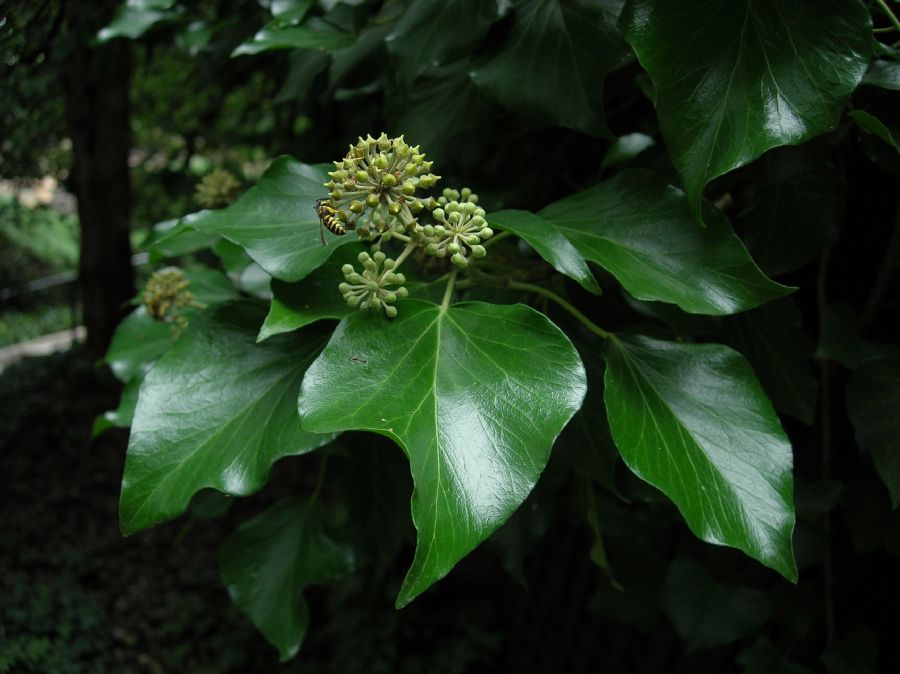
475,394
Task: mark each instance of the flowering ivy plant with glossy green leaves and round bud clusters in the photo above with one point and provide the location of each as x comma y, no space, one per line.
486,331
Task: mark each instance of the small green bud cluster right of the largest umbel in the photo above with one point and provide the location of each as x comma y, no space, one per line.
459,229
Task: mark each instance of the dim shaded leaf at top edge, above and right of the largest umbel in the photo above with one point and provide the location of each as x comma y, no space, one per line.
437,32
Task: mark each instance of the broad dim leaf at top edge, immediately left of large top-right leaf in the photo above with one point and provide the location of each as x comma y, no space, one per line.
553,62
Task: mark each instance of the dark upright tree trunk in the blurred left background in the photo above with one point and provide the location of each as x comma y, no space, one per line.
96,82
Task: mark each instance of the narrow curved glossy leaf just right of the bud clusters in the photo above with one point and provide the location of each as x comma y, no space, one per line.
549,243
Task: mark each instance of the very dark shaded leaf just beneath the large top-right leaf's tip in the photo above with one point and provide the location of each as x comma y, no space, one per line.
793,220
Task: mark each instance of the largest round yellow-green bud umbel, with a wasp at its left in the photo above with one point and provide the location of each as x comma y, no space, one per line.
374,186
